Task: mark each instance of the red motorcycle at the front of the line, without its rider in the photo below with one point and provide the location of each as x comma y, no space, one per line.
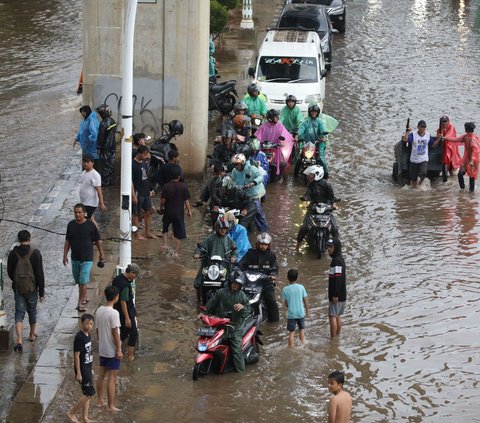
214,354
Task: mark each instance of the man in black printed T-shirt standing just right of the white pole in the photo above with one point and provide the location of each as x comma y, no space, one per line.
142,194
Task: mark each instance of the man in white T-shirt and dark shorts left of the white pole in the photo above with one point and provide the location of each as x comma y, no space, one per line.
91,188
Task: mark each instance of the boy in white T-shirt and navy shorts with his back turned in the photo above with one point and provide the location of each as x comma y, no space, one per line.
109,347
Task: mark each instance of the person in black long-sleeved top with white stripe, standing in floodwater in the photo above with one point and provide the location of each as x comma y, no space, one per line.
337,286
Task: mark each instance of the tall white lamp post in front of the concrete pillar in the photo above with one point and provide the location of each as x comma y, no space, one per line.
127,124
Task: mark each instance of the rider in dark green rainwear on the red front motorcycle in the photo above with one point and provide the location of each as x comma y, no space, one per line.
233,303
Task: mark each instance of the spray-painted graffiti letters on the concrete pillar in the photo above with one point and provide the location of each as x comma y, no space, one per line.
144,119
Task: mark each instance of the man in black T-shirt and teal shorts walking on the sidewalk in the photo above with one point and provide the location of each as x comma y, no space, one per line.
81,235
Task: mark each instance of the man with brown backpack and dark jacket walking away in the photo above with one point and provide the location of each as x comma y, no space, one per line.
25,269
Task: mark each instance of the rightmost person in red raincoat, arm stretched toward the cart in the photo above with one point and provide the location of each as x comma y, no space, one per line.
470,156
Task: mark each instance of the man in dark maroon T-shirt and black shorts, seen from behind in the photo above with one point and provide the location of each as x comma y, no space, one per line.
174,200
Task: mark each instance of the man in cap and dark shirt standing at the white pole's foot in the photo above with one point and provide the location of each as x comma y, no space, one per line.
125,283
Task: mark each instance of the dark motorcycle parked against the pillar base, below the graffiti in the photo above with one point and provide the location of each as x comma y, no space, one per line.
160,149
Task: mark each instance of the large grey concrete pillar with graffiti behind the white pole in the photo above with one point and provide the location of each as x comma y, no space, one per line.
170,68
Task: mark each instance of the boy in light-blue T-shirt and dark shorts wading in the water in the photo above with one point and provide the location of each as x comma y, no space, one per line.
295,297
